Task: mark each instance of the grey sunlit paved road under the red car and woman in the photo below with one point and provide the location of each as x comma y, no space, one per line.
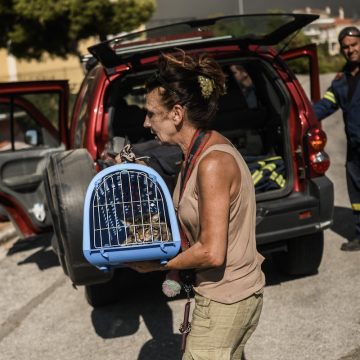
316,317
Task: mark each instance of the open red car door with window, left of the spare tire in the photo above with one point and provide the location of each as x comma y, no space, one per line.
33,125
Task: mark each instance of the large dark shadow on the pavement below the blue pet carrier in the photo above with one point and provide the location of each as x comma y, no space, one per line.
142,299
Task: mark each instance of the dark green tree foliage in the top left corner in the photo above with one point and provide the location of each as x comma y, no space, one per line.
30,28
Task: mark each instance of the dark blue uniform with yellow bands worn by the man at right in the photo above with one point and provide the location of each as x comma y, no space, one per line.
344,93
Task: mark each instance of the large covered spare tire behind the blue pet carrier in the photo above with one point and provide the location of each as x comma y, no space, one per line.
67,177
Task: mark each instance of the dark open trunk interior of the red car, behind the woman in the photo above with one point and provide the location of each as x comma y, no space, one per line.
254,117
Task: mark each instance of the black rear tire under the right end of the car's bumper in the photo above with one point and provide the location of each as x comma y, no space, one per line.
303,255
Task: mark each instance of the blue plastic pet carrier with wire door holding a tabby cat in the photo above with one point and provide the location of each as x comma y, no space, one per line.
129,216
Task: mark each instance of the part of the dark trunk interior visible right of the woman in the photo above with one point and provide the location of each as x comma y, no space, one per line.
253,115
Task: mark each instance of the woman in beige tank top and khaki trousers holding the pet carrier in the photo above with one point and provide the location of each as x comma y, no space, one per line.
215,202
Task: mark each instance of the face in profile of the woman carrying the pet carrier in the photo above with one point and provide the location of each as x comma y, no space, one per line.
158,118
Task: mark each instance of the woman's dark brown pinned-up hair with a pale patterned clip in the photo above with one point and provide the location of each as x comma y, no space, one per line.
194,82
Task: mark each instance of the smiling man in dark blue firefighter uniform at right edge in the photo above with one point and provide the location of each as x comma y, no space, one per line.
344,93
